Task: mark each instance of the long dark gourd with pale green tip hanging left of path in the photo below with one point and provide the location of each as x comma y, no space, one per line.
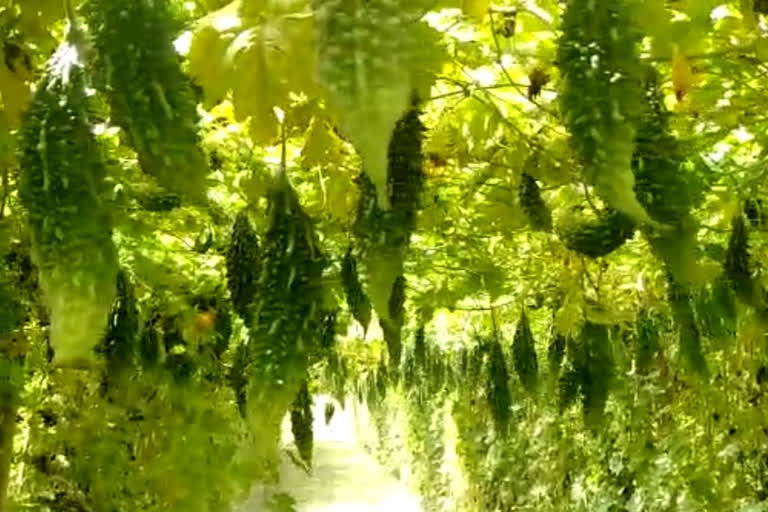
288,315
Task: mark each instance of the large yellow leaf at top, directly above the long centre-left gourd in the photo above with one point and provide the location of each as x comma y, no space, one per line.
263,51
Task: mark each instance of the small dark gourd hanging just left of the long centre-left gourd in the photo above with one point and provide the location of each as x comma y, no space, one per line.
242,263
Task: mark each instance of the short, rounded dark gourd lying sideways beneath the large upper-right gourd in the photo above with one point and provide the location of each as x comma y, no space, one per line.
596,236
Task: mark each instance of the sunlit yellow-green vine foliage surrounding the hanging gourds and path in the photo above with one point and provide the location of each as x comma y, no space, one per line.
669,439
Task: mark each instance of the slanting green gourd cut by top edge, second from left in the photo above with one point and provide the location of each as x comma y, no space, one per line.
150,97
